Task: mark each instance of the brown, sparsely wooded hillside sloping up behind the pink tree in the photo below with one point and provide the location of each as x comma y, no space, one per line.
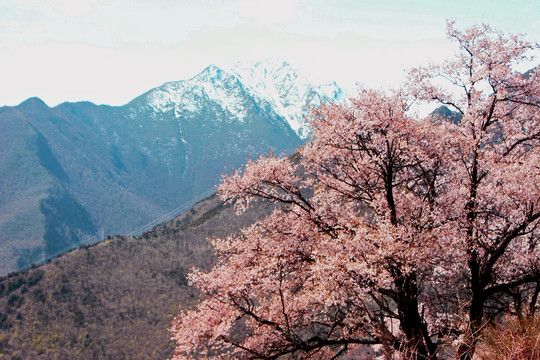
114,299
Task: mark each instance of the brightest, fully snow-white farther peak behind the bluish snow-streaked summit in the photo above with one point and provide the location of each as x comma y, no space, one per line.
289,92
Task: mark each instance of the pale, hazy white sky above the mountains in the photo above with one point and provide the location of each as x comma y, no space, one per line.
109,51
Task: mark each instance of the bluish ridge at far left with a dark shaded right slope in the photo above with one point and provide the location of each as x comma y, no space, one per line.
33,197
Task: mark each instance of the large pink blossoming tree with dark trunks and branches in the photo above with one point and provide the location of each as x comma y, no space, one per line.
392,230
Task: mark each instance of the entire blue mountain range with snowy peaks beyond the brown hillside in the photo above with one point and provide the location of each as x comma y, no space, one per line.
77,172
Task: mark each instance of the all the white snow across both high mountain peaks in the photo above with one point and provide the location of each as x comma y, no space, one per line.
269,83
